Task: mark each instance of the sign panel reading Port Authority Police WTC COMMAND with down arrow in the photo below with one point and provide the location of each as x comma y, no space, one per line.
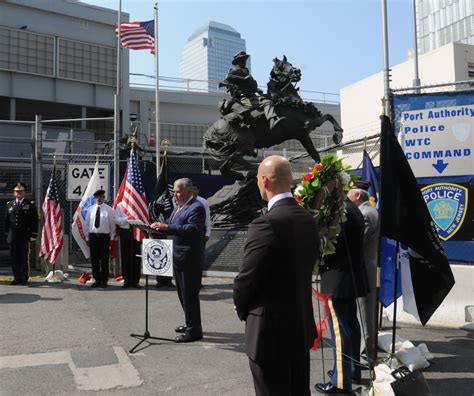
439,141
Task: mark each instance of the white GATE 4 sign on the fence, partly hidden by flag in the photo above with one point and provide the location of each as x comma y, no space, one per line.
78,176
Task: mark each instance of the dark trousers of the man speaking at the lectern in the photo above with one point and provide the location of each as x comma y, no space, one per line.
188,284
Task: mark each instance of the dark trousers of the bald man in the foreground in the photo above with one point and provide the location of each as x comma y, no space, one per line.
291,378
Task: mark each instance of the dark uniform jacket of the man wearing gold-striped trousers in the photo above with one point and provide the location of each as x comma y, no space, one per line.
337,278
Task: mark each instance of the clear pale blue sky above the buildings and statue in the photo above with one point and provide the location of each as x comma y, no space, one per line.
334,42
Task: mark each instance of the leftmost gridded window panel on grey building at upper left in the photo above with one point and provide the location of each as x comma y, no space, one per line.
27,52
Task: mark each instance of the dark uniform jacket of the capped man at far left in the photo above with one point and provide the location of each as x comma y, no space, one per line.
21,223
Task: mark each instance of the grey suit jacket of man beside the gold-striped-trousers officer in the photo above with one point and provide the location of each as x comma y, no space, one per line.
371,238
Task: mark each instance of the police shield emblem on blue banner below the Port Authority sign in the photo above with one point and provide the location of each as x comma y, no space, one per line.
447,204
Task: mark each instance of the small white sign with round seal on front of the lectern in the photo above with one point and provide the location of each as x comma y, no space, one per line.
157,257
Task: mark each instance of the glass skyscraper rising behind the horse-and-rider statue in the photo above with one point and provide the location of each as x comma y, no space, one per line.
207,55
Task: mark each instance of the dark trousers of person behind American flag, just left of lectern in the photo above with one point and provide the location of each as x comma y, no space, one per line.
131,264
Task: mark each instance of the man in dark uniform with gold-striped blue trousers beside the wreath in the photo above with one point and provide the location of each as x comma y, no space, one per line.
344,278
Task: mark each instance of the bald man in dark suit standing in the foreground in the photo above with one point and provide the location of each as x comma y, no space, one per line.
272,291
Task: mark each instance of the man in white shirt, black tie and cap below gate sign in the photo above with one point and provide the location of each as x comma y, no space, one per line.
99,230
